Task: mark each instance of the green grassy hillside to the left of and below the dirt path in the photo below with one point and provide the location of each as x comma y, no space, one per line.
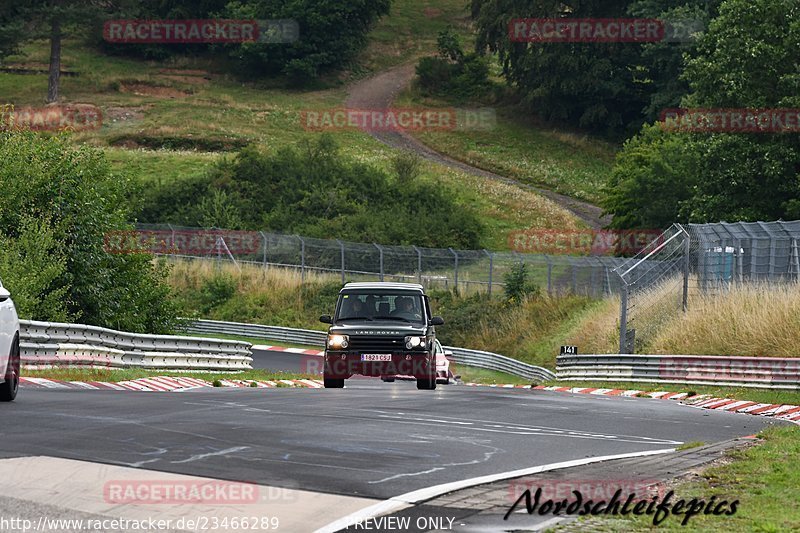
164,123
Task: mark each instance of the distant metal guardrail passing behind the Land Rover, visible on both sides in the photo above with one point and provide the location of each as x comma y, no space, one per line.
486,360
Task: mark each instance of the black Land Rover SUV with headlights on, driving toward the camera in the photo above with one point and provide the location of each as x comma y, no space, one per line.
381,329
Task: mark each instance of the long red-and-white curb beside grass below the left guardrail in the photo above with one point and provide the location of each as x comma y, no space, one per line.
163,384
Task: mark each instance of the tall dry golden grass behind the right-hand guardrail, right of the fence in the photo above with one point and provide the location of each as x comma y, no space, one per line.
750,320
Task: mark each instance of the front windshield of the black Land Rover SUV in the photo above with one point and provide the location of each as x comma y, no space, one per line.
381,305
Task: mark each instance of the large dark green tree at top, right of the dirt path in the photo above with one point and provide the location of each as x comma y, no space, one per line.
612,88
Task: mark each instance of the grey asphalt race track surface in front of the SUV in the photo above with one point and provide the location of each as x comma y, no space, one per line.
370,440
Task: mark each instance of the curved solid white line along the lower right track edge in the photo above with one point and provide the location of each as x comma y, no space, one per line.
398,503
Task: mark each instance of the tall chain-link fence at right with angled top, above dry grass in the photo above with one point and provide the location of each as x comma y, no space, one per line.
693,259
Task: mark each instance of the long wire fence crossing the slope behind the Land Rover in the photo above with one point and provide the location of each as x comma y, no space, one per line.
464,270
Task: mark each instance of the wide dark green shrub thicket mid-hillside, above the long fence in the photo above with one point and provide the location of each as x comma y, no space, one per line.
312,190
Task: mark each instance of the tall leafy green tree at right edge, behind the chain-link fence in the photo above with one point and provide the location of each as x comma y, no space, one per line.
749,58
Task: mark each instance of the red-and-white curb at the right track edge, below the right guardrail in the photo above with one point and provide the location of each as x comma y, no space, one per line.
701,401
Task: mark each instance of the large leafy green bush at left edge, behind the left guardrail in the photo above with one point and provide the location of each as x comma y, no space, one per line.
75,199
